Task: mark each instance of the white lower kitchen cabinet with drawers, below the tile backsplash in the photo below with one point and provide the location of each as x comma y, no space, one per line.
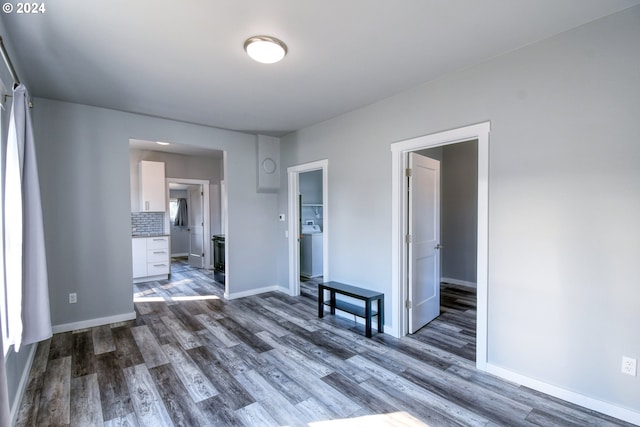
151,258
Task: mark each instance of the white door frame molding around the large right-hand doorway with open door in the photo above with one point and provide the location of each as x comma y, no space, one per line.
399,155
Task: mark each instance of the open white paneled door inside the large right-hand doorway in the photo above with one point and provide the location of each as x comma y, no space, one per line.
424,241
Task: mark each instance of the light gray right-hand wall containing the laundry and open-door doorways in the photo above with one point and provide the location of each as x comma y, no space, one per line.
564,198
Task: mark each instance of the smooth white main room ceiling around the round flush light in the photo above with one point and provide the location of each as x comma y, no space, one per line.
184,60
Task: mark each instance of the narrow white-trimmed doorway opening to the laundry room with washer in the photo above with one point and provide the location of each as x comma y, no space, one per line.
310,211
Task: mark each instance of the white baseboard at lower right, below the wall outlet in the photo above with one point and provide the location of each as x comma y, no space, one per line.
570,396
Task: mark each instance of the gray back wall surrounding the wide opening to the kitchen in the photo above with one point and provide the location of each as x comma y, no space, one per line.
84,174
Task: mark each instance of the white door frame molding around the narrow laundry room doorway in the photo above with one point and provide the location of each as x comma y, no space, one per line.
294,218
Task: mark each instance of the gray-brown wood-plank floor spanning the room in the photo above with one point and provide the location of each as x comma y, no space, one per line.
193,359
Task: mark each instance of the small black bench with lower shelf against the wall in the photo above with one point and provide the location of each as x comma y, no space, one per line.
365,295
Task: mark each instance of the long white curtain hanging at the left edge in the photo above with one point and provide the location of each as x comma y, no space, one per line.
29,318
